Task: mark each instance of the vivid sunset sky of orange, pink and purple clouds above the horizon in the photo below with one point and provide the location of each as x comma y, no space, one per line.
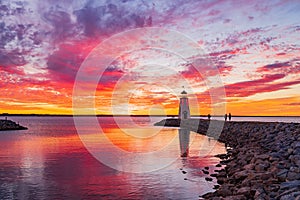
251,47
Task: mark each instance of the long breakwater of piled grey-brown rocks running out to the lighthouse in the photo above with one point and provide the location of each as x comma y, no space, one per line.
263,161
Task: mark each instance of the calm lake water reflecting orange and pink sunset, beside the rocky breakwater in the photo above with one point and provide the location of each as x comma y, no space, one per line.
50,161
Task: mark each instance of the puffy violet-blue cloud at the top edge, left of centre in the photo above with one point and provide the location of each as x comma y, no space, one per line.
110,18
